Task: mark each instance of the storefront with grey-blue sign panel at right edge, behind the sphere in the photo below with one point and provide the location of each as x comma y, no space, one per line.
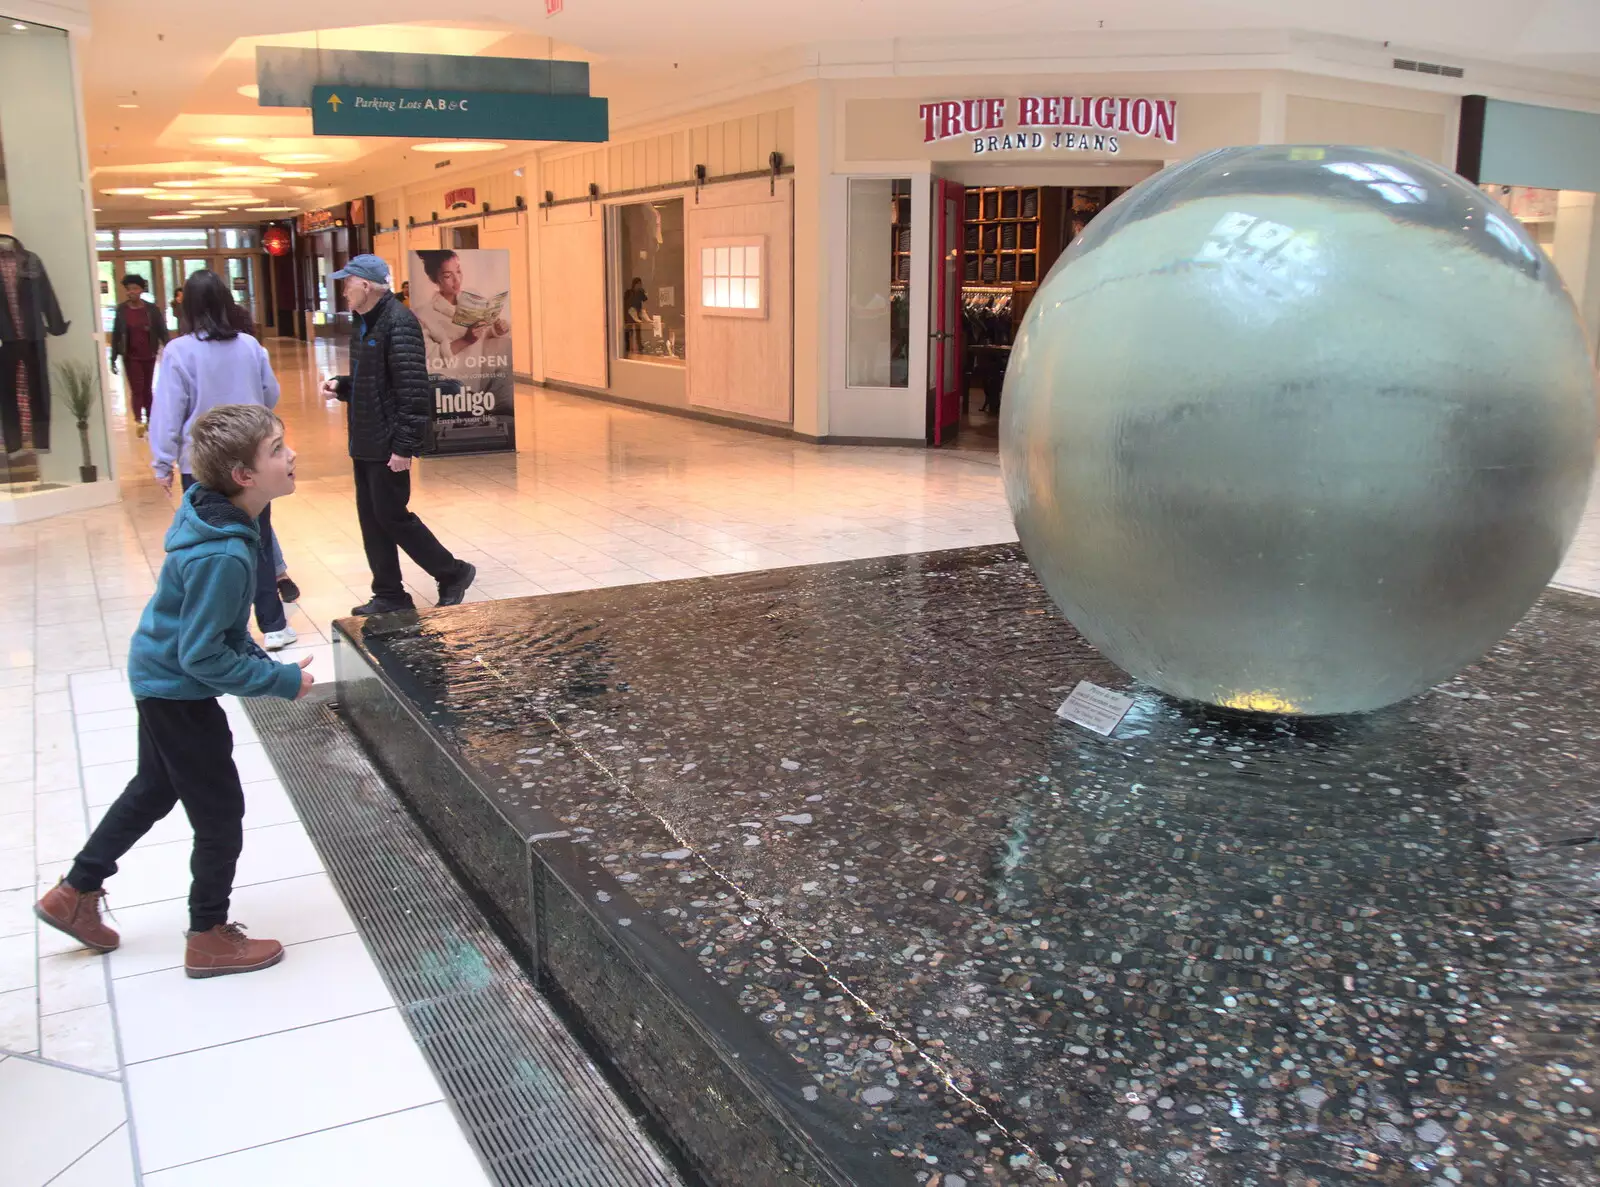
1543,164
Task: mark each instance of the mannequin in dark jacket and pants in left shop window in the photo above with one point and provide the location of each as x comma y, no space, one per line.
28,314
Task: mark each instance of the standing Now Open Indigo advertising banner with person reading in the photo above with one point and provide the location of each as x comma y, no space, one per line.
463,302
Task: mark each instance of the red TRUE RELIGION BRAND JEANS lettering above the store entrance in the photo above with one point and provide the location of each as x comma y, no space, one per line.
1052,122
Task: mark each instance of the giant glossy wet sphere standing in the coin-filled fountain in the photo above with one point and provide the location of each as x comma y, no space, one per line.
1298,430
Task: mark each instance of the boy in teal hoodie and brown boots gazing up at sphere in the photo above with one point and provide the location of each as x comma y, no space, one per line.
193,645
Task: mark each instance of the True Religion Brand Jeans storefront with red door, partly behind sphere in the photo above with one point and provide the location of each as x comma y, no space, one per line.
954,202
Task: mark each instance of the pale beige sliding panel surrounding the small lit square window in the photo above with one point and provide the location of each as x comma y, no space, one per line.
738,364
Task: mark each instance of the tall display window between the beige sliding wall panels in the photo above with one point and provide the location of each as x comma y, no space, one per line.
650,278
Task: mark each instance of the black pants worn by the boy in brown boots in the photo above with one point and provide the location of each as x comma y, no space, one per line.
186,756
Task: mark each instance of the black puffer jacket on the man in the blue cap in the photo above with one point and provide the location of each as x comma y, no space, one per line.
388,390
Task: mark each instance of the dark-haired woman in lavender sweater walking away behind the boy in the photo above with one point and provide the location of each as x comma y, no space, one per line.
209,367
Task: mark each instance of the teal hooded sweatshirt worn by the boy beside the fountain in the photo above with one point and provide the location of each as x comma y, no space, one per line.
194,637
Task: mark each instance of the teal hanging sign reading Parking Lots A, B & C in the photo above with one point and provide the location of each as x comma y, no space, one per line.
460,116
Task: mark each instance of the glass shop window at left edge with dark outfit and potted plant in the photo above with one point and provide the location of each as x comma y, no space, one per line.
52,374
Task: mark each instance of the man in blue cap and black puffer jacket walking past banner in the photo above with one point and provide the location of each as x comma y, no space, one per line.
390,404
